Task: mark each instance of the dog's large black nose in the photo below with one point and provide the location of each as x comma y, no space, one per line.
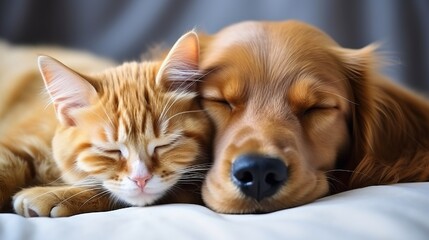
258,176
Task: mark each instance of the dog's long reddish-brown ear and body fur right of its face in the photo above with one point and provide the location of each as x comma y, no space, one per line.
388,123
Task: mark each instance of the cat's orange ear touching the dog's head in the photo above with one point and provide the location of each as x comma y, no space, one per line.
179,70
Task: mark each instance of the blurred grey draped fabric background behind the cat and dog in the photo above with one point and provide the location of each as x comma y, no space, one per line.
123,30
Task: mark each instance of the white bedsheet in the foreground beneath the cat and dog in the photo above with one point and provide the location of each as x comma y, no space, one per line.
398,211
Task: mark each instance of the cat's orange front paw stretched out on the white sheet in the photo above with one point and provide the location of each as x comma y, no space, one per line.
57,202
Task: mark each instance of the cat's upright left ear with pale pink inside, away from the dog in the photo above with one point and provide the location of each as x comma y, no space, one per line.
68,90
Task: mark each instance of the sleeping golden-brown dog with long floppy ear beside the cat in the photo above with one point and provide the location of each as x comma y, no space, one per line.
298,117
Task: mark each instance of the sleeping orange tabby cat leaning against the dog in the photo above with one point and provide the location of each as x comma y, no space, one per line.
128,136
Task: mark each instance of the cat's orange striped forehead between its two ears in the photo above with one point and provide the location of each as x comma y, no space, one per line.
134,103
